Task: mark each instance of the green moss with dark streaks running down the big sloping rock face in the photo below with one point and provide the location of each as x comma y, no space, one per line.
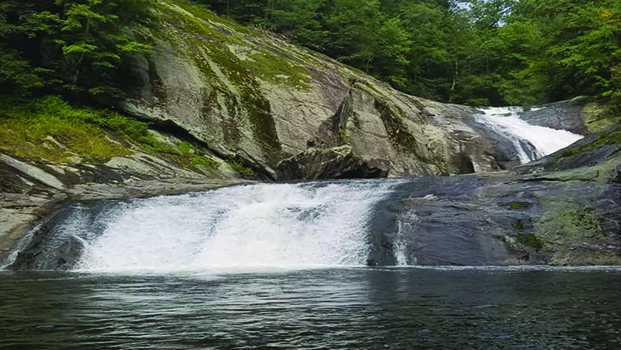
234,85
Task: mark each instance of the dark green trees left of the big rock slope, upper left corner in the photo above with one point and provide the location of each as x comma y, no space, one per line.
75,47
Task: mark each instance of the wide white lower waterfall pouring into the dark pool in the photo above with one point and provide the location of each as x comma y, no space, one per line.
276,225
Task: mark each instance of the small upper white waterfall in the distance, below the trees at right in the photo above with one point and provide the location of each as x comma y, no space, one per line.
506,122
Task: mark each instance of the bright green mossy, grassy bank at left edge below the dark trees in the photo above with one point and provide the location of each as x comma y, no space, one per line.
51,129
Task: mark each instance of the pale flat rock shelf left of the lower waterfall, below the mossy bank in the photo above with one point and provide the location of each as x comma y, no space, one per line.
31,192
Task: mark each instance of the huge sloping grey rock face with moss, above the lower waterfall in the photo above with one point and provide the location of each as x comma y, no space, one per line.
253,96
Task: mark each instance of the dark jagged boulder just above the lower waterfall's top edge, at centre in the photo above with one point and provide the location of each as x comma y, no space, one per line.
332,163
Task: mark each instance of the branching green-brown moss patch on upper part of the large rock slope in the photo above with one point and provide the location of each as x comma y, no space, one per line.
207,46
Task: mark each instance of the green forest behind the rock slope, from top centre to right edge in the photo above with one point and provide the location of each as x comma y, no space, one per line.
472,51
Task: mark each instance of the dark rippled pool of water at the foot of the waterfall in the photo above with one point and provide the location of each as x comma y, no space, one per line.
348,308
